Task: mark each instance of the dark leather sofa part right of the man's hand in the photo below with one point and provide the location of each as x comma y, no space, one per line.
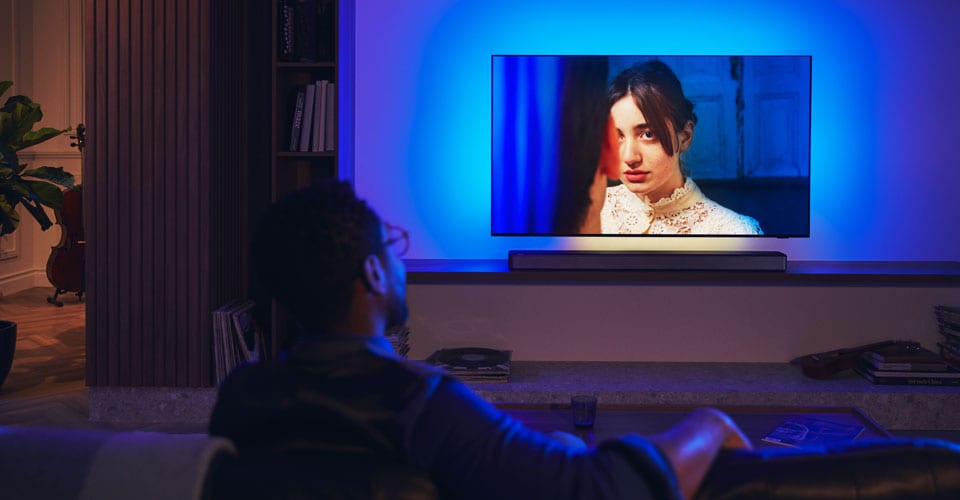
869,469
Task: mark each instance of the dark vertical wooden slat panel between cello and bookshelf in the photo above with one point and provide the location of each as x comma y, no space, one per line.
164,185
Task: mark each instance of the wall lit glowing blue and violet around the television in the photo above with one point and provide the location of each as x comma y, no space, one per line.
884,98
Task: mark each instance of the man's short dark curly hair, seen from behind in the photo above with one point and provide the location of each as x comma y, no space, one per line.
309,248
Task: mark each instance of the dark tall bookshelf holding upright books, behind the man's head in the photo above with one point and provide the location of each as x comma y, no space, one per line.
291,71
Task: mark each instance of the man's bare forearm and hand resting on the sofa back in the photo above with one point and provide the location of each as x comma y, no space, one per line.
693,443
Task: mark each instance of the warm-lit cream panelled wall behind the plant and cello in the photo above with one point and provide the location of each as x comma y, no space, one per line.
41,51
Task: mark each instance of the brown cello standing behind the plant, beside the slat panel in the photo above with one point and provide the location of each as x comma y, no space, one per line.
65,266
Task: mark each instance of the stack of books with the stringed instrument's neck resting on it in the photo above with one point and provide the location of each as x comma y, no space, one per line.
908,364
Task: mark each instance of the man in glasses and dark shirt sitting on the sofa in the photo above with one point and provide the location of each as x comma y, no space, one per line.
340,388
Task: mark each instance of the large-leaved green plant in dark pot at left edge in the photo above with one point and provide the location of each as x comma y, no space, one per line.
30,188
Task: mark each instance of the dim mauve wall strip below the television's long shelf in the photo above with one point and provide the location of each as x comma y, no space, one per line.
642,322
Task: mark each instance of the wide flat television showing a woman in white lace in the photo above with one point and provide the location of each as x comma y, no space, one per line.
651,145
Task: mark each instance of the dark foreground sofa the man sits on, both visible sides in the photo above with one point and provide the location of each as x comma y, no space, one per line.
43,463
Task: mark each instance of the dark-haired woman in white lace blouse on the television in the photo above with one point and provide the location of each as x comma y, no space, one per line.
654,123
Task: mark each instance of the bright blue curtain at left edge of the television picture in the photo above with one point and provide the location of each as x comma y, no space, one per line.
526,96
